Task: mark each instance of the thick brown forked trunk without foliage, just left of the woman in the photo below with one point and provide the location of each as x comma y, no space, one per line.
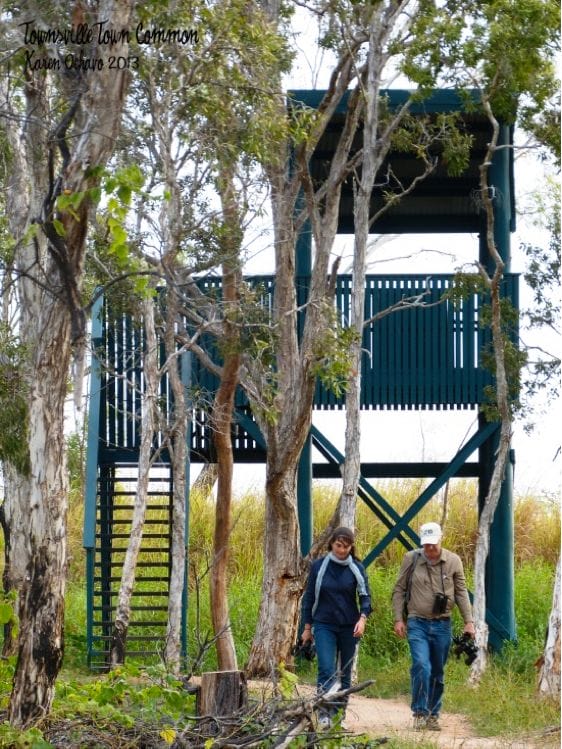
290,418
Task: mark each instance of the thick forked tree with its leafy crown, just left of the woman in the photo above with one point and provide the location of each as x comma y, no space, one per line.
368,42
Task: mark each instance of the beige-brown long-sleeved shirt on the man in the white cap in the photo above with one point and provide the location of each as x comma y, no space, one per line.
446,575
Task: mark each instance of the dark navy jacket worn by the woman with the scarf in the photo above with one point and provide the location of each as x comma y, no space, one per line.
337,602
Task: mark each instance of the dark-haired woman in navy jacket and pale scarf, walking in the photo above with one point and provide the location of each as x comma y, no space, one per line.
331,614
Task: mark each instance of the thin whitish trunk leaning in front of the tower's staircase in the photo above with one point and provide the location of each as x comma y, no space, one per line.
148,428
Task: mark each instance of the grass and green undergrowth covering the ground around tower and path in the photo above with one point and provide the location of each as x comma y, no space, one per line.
144,699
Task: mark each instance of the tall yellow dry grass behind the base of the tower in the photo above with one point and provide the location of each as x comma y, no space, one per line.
537,525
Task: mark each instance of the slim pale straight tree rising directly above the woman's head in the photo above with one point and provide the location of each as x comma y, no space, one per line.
379,134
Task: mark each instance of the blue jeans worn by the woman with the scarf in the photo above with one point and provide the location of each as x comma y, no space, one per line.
332,641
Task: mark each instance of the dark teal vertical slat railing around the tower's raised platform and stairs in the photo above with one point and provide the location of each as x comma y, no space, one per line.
424,357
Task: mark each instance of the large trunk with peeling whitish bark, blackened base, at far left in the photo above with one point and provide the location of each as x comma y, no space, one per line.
51,319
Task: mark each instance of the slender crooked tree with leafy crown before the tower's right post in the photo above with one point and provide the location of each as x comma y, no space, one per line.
506,61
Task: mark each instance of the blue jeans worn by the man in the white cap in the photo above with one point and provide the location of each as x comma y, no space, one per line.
429,641
